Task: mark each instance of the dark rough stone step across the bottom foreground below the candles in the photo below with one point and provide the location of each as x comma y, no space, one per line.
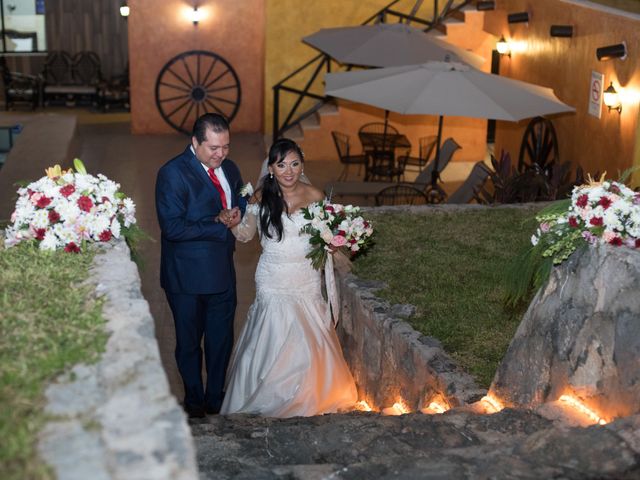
455,445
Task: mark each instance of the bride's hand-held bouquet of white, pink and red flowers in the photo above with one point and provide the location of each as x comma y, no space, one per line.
333,226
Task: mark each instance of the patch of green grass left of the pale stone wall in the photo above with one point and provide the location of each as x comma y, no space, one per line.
49,321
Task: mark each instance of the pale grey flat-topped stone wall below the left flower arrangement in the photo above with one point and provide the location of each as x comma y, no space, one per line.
117,419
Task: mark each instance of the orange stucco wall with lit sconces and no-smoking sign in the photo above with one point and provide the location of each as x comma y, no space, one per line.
565,64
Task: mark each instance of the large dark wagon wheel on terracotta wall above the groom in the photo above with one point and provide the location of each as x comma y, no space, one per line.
194,83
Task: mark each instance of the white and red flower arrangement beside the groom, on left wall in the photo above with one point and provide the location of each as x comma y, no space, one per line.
66,210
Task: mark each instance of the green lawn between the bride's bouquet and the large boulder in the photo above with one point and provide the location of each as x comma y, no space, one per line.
451,267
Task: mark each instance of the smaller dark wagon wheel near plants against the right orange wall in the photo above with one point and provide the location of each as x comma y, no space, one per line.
539,147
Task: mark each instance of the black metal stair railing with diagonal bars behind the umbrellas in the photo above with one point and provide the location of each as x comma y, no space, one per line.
305,83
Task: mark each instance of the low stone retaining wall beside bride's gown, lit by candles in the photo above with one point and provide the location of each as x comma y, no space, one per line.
390,361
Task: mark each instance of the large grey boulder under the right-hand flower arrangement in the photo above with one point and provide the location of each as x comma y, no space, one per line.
580,336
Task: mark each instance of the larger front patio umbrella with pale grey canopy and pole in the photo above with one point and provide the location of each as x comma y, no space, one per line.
445,88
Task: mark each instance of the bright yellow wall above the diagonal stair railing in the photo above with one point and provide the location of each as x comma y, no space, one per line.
287,21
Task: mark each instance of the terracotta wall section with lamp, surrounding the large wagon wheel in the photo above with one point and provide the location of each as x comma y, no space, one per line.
159,30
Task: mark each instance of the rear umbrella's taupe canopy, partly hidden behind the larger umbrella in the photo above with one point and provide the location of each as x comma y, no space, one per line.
386,45
